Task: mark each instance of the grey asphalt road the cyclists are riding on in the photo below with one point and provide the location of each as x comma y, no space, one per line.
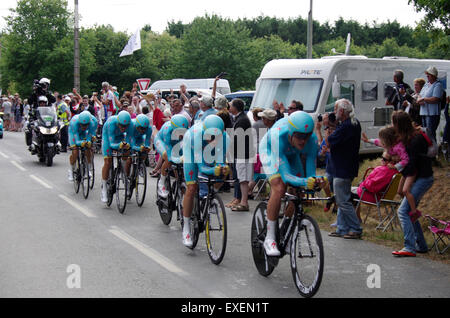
48,234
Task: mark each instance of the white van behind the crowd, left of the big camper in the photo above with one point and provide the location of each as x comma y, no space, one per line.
223,86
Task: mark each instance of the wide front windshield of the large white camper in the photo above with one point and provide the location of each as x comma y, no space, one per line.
306,91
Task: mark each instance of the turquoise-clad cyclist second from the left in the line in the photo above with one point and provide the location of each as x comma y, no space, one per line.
116,135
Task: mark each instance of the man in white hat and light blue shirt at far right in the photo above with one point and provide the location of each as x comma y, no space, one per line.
429,100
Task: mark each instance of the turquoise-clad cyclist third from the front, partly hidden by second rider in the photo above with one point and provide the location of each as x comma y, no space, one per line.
167,138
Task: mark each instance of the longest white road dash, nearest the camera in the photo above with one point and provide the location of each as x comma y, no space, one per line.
147,251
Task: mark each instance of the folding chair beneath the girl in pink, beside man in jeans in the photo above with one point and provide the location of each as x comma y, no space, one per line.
384,199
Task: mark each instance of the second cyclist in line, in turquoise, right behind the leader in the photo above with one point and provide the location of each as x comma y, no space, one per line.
204,151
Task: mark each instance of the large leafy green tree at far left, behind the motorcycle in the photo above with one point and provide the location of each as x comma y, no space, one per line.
34,28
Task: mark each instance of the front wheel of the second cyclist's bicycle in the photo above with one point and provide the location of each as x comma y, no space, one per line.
216,230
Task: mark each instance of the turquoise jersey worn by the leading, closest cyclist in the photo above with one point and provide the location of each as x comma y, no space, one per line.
280,159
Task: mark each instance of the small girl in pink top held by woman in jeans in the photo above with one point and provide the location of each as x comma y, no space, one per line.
389,140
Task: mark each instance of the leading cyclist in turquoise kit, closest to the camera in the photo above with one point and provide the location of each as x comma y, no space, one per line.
280,152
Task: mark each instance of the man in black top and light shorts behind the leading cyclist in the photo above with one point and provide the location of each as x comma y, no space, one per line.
243,149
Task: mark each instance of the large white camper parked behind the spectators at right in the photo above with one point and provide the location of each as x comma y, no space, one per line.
367,82
